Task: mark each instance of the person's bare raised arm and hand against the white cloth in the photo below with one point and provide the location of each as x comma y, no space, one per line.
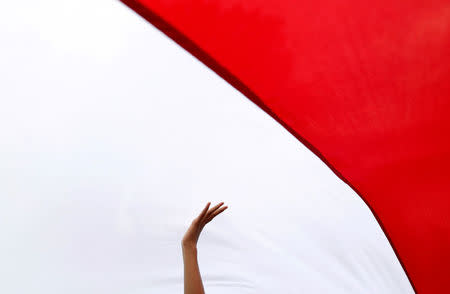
192,278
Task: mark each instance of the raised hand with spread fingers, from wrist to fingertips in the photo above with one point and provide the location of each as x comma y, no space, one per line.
193,233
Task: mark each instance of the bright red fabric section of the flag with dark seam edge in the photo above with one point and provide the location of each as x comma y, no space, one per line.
364,84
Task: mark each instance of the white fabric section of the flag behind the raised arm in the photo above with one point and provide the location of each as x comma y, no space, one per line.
113,138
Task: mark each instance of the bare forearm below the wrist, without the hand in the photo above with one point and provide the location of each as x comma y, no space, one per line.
192,278
